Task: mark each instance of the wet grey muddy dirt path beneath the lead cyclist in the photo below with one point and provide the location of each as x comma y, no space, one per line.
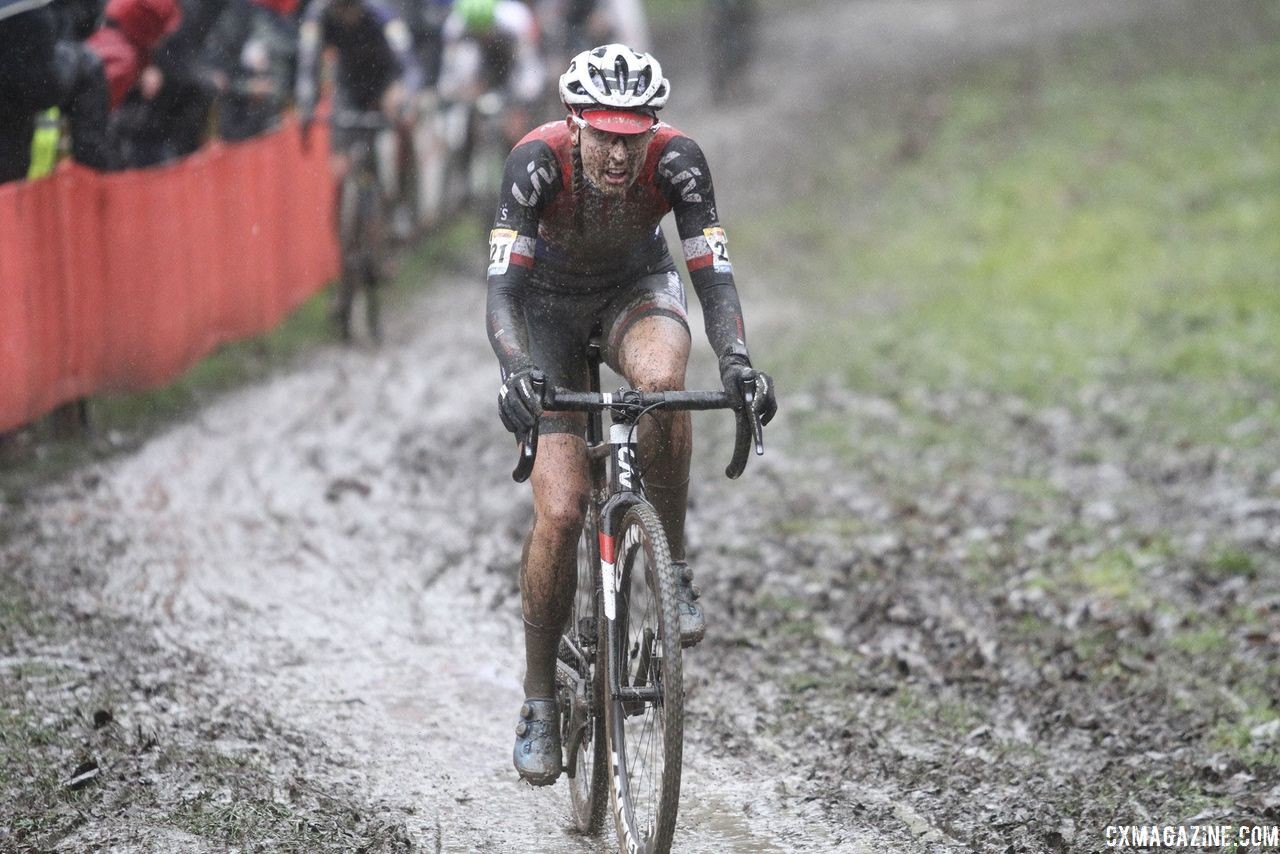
344,538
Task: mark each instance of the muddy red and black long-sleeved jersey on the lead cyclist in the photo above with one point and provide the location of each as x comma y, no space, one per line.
555,236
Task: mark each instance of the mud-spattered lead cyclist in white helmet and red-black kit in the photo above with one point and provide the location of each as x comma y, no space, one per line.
577,249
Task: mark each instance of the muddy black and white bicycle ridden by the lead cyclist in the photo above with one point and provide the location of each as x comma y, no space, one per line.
620,679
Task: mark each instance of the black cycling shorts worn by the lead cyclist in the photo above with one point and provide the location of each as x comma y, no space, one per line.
561,325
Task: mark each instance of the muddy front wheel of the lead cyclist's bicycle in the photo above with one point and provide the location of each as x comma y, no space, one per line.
646,697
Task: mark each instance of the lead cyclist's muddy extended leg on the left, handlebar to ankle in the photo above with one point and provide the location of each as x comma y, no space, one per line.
548,570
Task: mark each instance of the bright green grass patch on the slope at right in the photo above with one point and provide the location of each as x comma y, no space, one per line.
1084,232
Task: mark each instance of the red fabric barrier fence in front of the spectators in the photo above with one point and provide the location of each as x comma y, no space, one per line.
121,282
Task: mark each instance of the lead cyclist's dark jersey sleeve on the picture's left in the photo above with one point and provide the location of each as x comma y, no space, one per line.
531,182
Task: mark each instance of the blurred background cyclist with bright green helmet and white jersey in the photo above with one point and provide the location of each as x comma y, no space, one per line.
493,47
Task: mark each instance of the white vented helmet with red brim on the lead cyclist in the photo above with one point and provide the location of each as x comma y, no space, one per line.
615,89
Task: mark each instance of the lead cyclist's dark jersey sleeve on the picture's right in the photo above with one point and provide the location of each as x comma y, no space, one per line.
685,180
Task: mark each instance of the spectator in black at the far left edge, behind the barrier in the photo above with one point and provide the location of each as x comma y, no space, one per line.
29,80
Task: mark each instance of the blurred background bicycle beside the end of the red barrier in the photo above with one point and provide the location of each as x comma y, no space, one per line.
362,221
